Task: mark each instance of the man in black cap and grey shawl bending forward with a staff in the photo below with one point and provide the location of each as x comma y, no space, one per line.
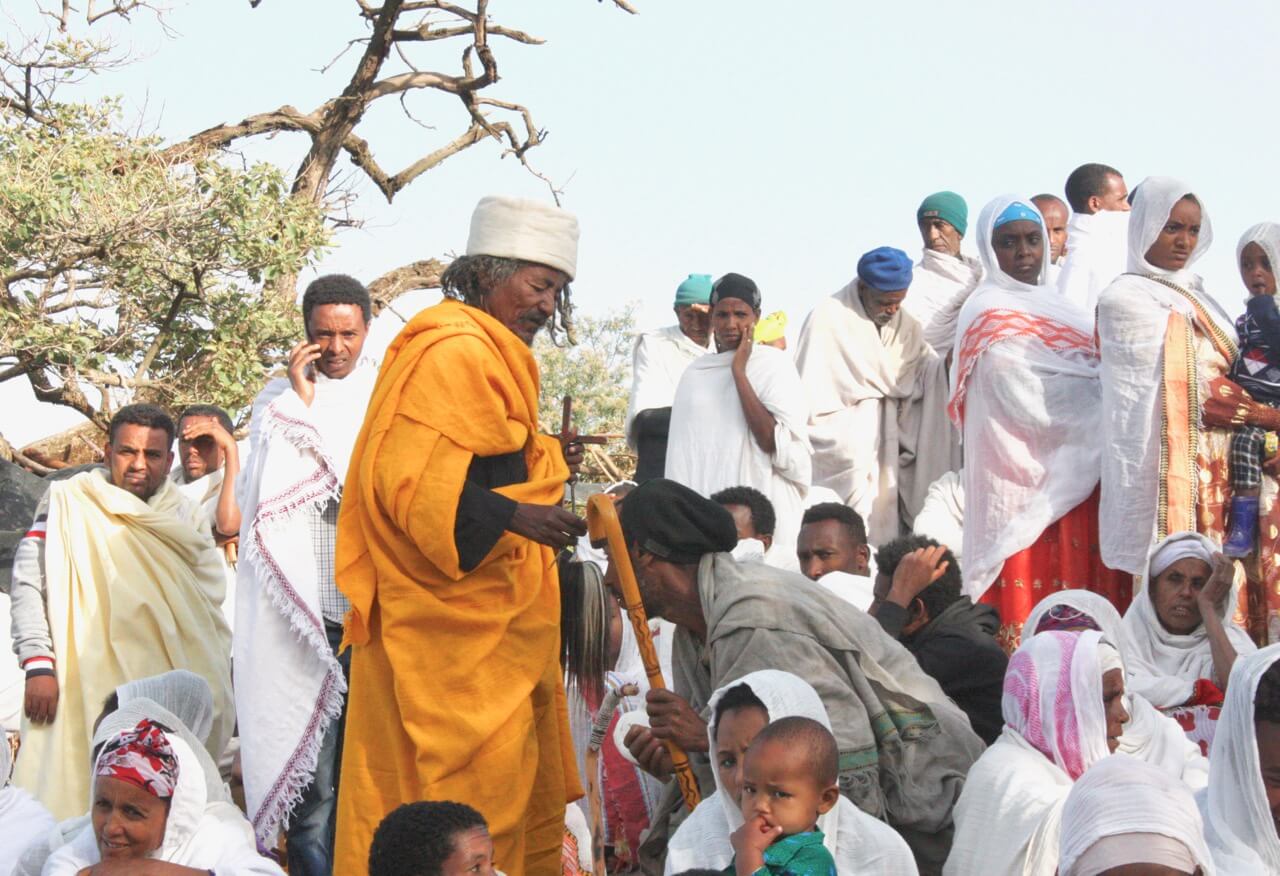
904,747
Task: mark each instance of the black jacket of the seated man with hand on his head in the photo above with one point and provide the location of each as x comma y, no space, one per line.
959,650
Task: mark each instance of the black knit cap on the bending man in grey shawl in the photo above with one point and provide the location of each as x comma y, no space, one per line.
675,523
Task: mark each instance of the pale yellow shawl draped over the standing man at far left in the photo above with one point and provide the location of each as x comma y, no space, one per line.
134,590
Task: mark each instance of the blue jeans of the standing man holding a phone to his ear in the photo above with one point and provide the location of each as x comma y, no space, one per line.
310,836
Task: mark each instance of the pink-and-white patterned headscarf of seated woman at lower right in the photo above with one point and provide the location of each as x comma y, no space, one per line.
1053,699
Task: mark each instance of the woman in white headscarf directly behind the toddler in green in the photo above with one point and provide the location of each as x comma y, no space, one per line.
742,709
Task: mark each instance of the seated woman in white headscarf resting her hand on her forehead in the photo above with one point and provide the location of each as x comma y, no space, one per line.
1181,635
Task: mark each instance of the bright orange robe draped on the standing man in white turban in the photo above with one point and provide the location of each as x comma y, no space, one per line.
456,690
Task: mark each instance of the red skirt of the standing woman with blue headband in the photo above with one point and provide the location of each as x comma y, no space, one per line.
1064,558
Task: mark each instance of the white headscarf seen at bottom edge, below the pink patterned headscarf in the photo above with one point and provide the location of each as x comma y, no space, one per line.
1123,796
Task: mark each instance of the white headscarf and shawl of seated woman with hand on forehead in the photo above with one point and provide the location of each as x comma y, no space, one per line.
1165,667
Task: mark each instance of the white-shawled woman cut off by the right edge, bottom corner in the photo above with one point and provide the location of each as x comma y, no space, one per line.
1240,806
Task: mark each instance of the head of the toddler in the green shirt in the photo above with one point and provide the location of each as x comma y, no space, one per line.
779,786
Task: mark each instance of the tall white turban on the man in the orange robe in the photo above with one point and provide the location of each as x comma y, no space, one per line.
531,231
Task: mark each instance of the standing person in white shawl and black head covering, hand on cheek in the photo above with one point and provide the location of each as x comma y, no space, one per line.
739,417
